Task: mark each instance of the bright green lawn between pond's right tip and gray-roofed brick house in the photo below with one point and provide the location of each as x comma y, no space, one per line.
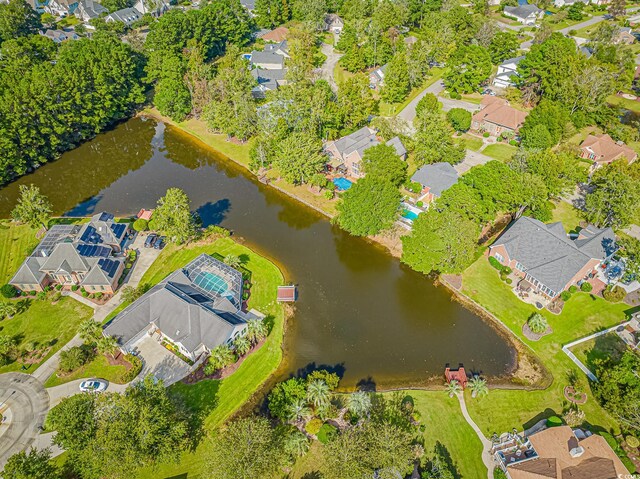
583,314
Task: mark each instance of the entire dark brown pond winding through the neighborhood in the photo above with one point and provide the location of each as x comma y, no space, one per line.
359,307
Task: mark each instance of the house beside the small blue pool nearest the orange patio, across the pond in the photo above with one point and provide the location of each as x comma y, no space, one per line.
346,153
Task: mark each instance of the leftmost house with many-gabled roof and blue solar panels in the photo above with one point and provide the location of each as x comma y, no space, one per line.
83,255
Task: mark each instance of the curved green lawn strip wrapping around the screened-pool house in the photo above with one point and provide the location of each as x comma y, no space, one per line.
216,400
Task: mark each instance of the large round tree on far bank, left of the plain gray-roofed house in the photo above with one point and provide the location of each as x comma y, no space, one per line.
440,241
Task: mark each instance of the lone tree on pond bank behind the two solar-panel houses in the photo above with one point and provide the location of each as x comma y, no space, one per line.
173,216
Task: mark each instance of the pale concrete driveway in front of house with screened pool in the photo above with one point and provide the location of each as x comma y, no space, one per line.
160,362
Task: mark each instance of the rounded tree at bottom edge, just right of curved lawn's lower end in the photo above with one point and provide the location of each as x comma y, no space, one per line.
246,449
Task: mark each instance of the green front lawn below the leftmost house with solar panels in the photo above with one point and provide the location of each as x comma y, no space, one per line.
45,324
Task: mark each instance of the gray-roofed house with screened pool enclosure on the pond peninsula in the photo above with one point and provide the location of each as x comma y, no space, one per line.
195,308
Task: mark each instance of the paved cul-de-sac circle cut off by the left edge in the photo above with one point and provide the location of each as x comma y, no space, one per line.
26,402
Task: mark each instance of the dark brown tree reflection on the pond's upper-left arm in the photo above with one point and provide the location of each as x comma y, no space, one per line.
83,172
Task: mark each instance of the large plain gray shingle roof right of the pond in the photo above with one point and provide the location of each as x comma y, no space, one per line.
549,255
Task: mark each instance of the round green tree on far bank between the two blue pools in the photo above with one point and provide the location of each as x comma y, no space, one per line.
368,207
